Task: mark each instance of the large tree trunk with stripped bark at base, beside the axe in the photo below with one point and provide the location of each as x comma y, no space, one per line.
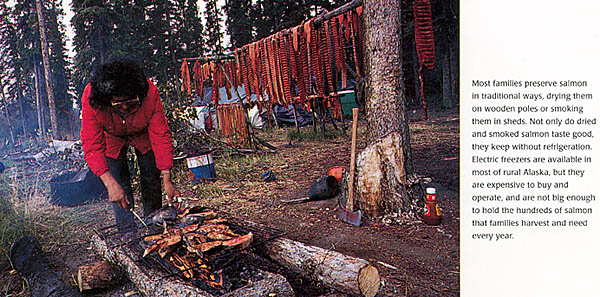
384,169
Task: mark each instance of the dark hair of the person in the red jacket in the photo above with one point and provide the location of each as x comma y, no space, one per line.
117,78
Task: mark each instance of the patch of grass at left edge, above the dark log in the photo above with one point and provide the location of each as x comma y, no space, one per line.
25,208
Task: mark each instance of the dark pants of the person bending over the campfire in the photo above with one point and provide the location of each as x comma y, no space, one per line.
149,183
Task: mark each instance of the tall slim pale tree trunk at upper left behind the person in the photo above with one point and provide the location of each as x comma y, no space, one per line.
47,70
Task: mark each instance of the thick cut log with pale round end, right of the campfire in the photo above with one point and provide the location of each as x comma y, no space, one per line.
349,275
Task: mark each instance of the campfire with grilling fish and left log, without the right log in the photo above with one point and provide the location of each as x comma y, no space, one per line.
193,250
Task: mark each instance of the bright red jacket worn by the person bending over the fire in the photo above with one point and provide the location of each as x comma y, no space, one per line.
100,131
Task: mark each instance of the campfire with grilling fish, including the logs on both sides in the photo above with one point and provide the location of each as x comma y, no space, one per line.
200,252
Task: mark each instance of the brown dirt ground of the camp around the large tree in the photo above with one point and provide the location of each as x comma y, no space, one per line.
414,260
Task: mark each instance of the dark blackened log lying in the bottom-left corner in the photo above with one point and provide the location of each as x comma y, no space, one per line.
27,258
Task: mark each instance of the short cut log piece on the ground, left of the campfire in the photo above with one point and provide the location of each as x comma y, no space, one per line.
97,275
